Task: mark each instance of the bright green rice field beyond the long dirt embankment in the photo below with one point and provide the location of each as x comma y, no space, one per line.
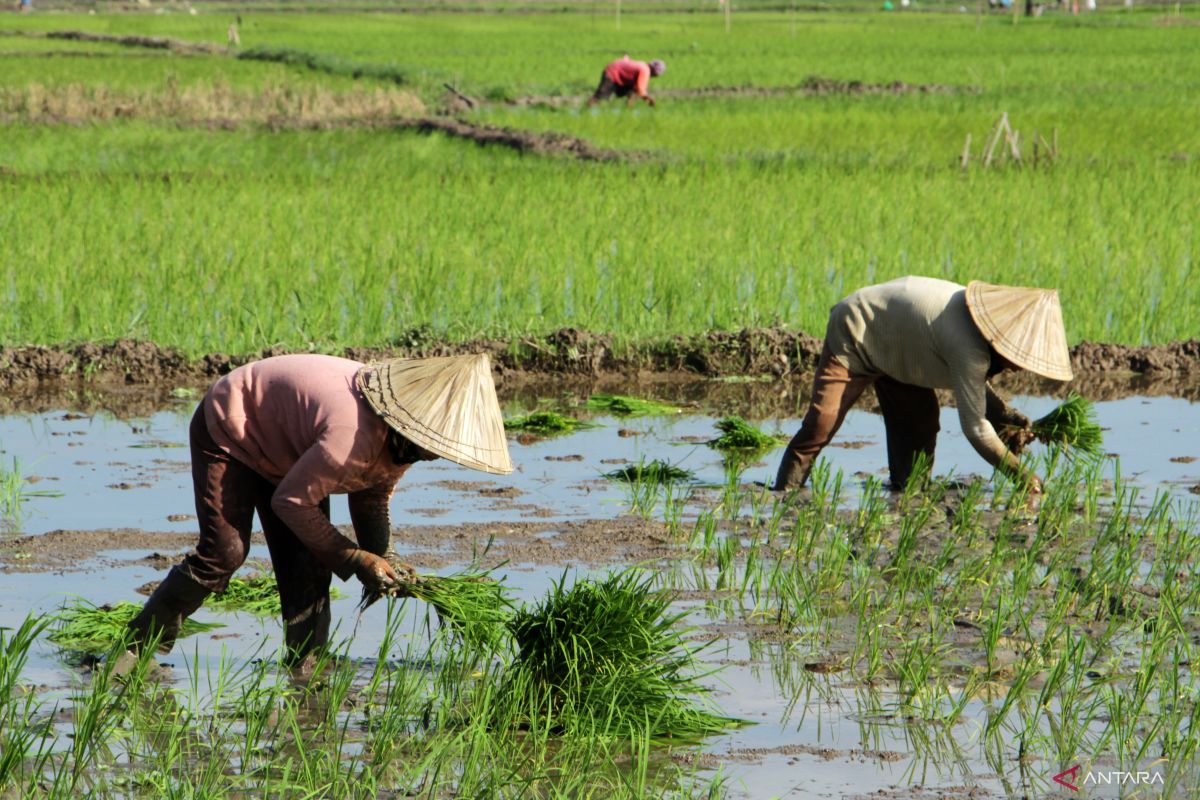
191,218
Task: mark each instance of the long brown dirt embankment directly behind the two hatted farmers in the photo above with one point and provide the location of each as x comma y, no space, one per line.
1105,371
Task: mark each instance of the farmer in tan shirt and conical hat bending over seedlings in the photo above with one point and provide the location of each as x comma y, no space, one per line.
914,335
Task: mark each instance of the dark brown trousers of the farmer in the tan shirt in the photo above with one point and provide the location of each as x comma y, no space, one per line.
910,418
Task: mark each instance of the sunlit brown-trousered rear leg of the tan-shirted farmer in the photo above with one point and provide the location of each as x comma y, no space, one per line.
835,392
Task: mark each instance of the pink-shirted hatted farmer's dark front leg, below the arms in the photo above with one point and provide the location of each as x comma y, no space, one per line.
303,582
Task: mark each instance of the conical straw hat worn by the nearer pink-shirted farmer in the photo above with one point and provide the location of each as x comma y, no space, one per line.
447,406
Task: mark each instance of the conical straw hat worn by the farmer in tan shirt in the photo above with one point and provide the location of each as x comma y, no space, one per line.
1024,326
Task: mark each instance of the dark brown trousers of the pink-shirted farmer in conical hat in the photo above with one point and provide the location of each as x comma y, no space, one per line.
227,496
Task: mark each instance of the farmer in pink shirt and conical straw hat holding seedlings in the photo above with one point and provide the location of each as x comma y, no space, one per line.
279,437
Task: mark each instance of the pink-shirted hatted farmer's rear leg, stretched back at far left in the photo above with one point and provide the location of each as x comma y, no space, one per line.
225,508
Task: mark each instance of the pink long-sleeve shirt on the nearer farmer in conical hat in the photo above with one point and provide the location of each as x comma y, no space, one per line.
301,423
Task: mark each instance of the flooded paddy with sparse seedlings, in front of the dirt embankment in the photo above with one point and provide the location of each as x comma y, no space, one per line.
952,643
